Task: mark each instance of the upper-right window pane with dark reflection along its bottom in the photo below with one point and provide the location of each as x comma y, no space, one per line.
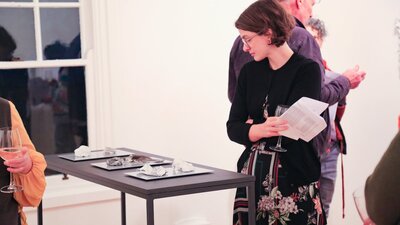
60,29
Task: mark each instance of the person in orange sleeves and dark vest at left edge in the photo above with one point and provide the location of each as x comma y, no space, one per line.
28,171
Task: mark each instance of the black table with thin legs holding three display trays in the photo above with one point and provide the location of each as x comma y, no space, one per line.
217,180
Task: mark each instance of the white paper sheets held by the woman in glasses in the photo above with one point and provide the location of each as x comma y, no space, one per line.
304,119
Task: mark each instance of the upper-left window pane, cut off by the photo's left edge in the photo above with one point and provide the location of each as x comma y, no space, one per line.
18,23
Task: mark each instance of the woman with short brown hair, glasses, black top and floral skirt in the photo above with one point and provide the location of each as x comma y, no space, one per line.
286,183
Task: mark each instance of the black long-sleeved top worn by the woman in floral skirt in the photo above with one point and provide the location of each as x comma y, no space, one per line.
297,78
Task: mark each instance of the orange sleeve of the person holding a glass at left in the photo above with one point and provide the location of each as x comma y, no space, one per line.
34,182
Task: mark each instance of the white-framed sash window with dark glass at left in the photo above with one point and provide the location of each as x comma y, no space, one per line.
42,70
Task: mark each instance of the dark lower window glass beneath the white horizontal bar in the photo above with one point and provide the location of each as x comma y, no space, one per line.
52,105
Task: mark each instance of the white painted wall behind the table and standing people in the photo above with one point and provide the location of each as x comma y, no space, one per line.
168,78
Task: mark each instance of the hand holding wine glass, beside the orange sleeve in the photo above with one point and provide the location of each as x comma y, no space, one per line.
21,164
